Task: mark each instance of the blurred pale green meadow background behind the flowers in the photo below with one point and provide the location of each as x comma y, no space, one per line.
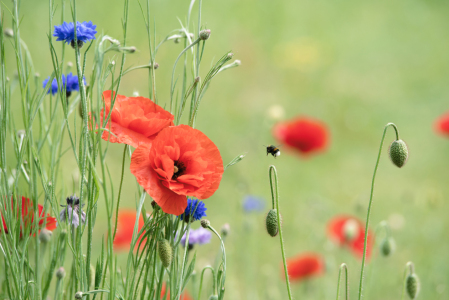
355,65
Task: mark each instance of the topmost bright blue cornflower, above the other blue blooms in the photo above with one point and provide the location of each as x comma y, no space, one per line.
84,32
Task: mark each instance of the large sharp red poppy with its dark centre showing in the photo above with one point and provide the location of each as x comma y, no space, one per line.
180,161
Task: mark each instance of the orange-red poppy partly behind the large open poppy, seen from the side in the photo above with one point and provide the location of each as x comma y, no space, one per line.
134,120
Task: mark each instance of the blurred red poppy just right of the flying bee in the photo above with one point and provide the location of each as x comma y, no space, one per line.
303,134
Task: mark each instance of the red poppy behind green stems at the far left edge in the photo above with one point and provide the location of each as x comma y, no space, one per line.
27,216
